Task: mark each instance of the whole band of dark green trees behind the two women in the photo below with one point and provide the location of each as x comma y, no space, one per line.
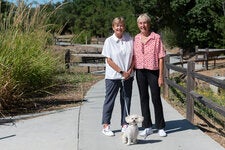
182,23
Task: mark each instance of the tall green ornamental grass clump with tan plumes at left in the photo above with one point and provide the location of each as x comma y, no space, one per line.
27,66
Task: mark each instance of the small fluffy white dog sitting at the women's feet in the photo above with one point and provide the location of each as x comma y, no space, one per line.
131,132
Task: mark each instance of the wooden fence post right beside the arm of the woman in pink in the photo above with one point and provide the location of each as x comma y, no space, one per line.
166,76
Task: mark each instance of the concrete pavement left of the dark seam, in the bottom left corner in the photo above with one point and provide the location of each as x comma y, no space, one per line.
55,130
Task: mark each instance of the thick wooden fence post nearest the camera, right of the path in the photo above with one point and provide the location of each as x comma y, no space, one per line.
190,87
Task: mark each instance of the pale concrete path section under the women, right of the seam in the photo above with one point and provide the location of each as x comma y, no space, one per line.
181,134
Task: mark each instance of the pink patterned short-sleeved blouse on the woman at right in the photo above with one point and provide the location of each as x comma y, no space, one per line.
146,56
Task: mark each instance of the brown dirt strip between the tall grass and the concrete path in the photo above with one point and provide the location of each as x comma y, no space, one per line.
62,96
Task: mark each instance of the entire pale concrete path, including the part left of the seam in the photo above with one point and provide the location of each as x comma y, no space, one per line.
79,128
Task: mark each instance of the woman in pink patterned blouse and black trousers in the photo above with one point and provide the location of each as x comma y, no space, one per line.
148,58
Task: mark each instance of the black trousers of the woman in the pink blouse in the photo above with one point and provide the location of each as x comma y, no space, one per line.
146,78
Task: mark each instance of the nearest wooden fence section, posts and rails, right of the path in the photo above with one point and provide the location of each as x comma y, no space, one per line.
191,95
